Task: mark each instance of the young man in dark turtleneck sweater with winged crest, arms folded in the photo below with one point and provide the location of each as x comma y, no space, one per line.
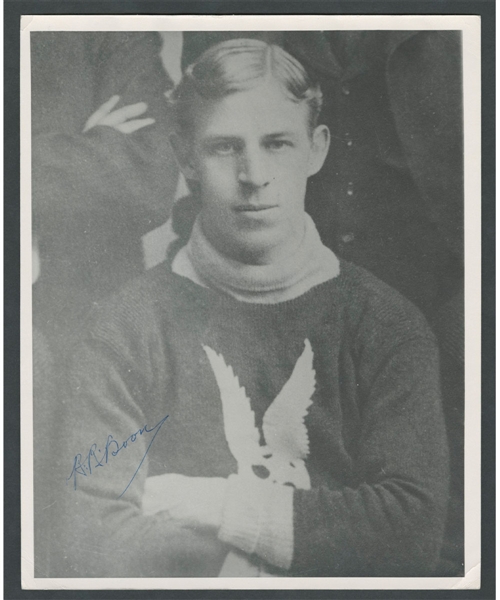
255,406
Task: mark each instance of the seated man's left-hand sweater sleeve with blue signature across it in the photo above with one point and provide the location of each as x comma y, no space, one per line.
106,436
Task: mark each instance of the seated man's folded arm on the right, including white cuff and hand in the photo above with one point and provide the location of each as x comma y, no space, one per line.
391,523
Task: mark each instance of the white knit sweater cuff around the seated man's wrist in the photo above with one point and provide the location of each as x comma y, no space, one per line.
258,519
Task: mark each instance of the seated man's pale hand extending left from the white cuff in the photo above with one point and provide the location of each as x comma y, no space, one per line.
193,501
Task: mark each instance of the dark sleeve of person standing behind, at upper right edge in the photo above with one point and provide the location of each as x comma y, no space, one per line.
424,76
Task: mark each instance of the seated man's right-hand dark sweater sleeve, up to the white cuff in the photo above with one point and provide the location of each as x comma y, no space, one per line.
391,522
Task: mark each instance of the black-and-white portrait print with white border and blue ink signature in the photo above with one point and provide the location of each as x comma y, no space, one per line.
248,280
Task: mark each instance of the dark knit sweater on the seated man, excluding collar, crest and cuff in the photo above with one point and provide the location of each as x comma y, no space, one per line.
378,450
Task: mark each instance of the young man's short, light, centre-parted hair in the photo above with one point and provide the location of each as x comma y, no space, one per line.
238,65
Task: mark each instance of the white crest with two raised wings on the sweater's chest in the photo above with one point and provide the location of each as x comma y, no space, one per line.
285,433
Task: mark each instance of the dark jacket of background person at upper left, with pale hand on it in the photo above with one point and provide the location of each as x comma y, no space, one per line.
95,193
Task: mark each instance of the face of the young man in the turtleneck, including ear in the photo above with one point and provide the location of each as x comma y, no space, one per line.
252,153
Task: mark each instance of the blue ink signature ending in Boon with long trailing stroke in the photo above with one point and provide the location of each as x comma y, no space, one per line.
85,466
